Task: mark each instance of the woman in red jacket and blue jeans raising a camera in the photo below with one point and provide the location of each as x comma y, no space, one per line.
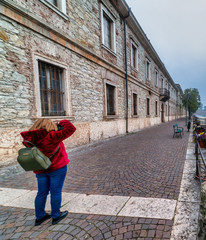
47,136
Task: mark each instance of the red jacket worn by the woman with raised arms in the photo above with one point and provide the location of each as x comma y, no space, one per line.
47,143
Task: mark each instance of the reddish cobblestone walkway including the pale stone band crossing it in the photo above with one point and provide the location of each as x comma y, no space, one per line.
144,169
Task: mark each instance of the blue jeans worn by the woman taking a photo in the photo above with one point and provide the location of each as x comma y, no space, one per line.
52,182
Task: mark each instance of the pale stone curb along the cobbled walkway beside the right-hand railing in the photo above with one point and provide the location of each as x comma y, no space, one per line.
187,209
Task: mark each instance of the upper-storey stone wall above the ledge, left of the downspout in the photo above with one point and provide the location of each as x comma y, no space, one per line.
83,24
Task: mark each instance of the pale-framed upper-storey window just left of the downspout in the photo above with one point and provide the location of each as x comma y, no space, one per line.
108,29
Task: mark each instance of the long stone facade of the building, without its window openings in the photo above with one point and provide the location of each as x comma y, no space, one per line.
88,67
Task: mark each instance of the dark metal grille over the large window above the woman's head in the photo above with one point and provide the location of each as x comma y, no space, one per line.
51,90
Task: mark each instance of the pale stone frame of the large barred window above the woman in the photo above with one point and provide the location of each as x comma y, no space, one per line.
65,87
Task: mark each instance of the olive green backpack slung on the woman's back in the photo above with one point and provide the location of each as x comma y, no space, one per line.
32,158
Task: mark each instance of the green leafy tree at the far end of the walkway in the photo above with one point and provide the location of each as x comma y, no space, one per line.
191,100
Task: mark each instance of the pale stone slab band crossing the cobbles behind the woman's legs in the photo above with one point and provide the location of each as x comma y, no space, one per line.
96,204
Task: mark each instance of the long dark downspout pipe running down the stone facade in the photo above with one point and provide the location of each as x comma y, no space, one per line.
126,73
